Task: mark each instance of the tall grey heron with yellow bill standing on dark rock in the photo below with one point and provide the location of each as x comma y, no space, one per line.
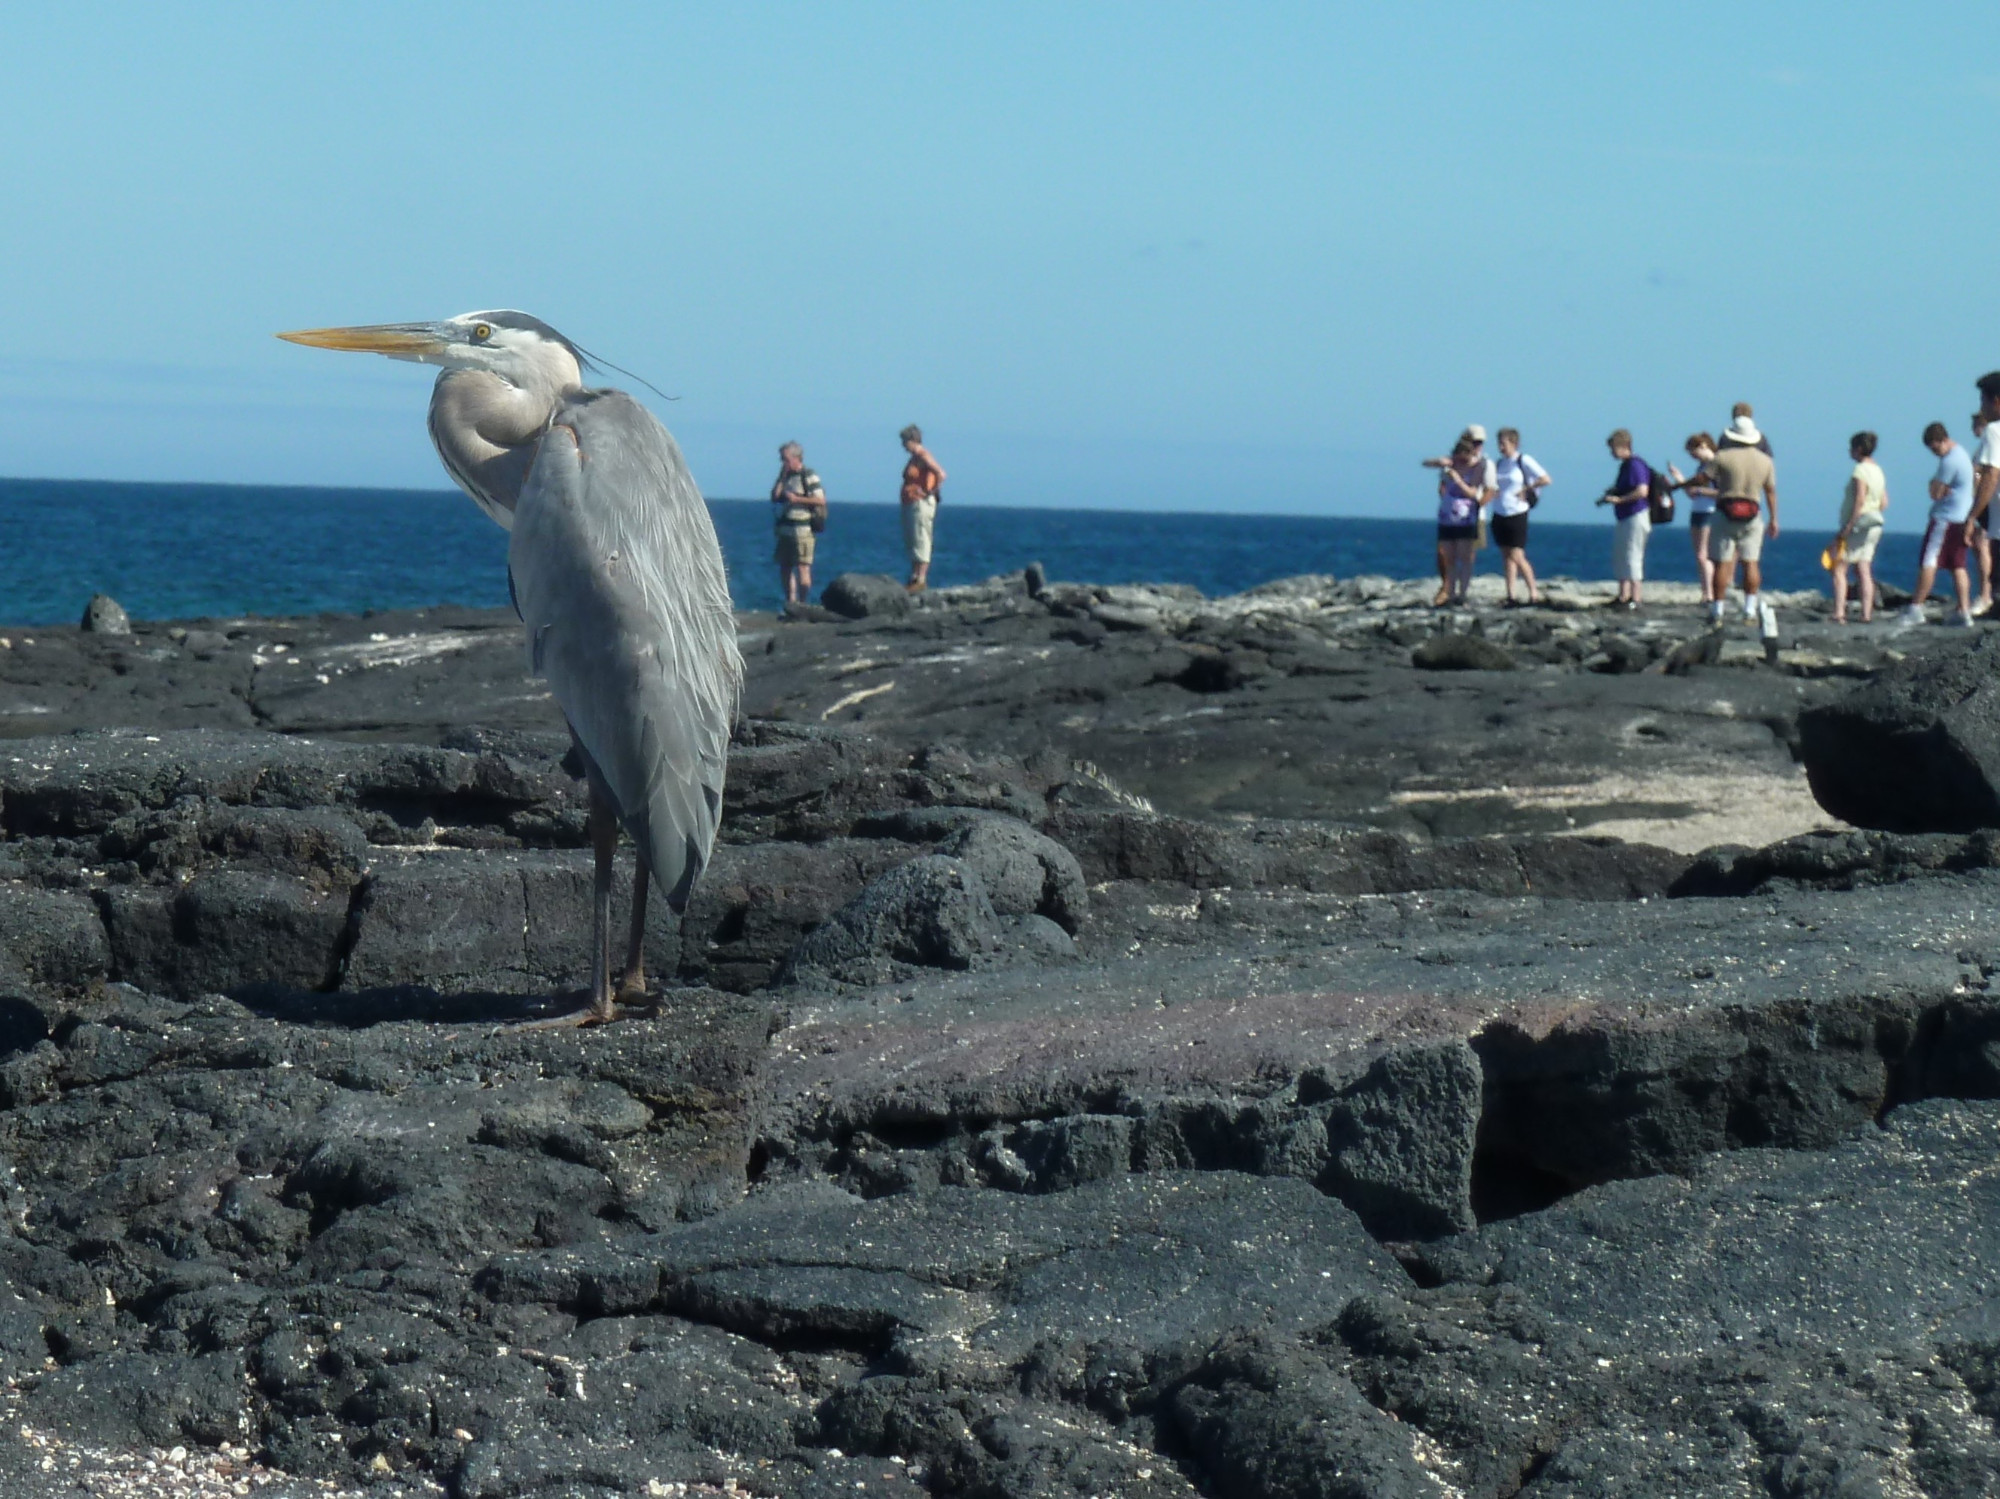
615,569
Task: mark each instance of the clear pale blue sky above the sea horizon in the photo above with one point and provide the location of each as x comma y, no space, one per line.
1151,257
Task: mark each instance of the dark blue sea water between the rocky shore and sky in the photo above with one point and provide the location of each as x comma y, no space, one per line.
181,551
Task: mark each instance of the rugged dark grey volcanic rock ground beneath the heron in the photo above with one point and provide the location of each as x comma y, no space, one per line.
1019,1120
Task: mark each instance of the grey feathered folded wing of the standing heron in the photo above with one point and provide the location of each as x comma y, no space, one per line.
621,585
